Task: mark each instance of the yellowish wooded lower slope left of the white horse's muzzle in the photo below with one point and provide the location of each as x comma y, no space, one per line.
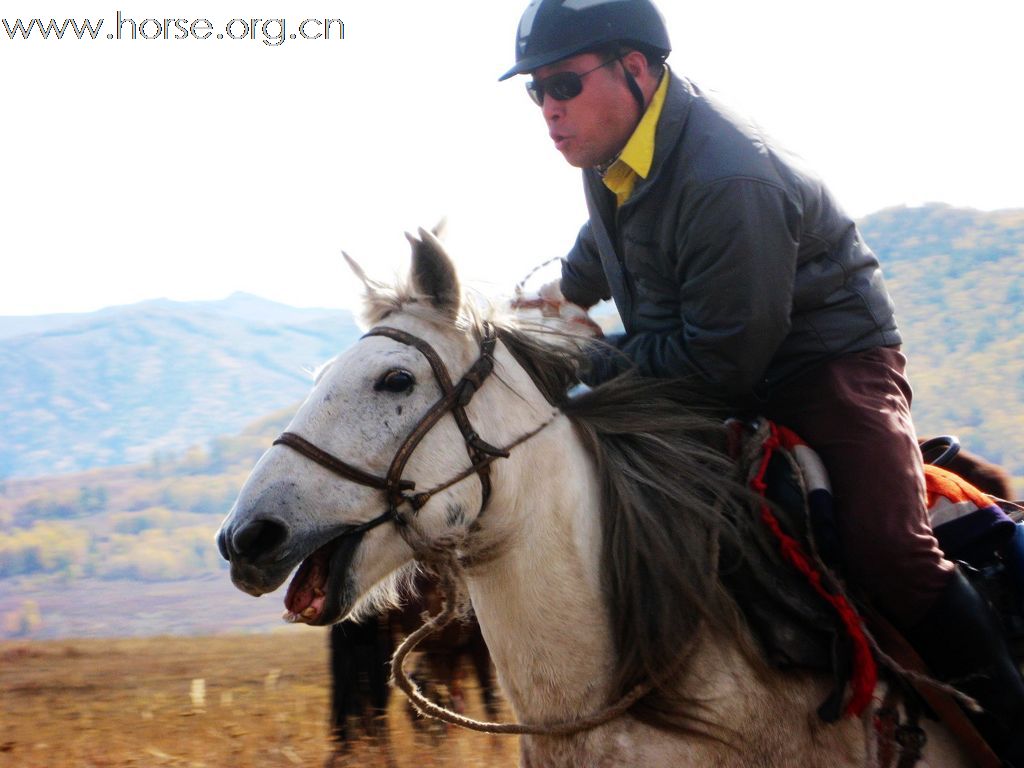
130,550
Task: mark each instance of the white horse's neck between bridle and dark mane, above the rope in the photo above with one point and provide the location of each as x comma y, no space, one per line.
539,602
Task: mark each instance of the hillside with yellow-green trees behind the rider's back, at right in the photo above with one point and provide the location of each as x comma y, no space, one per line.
958,280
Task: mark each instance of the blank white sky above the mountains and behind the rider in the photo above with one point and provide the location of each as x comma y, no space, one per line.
135,169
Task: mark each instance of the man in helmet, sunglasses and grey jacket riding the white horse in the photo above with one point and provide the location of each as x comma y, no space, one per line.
733,266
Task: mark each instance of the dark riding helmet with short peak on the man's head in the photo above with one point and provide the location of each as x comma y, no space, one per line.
553,30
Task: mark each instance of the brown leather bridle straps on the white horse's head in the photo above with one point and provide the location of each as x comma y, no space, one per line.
454,400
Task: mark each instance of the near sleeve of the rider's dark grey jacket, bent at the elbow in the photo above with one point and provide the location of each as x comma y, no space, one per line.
736,255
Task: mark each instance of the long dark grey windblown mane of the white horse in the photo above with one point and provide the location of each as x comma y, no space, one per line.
672,502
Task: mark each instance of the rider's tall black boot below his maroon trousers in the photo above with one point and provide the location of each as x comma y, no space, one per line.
962,643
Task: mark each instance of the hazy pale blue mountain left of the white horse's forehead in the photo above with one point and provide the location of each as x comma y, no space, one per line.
119,386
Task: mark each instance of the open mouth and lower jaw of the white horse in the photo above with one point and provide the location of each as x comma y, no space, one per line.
318,590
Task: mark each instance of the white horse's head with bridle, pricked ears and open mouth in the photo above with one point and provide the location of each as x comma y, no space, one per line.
382,464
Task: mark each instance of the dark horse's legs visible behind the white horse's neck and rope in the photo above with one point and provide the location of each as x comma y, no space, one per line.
361,657
